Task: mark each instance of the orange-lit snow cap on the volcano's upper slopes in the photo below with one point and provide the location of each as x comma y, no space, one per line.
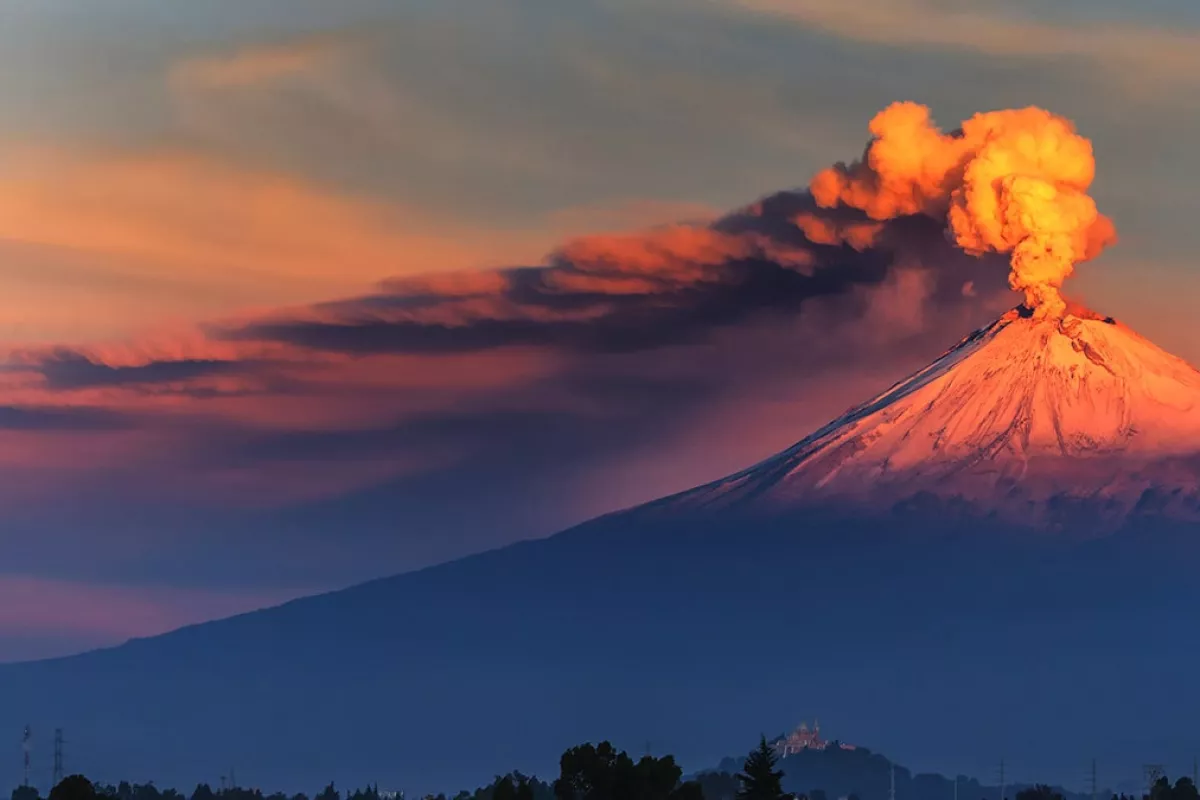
1019,419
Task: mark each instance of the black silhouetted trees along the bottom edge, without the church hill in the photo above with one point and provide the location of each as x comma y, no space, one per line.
586,773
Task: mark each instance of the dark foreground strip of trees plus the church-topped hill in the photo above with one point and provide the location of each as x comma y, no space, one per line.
797,767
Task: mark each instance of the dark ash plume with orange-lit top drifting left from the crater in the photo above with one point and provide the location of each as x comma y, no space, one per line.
639,292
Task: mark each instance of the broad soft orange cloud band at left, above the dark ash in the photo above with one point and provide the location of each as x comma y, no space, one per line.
154,238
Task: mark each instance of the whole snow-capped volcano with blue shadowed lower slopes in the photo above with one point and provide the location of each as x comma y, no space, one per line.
995,557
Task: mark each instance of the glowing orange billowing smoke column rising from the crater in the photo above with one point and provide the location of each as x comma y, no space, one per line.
1011,182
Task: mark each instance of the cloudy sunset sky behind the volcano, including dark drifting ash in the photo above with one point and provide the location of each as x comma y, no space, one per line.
303,294
